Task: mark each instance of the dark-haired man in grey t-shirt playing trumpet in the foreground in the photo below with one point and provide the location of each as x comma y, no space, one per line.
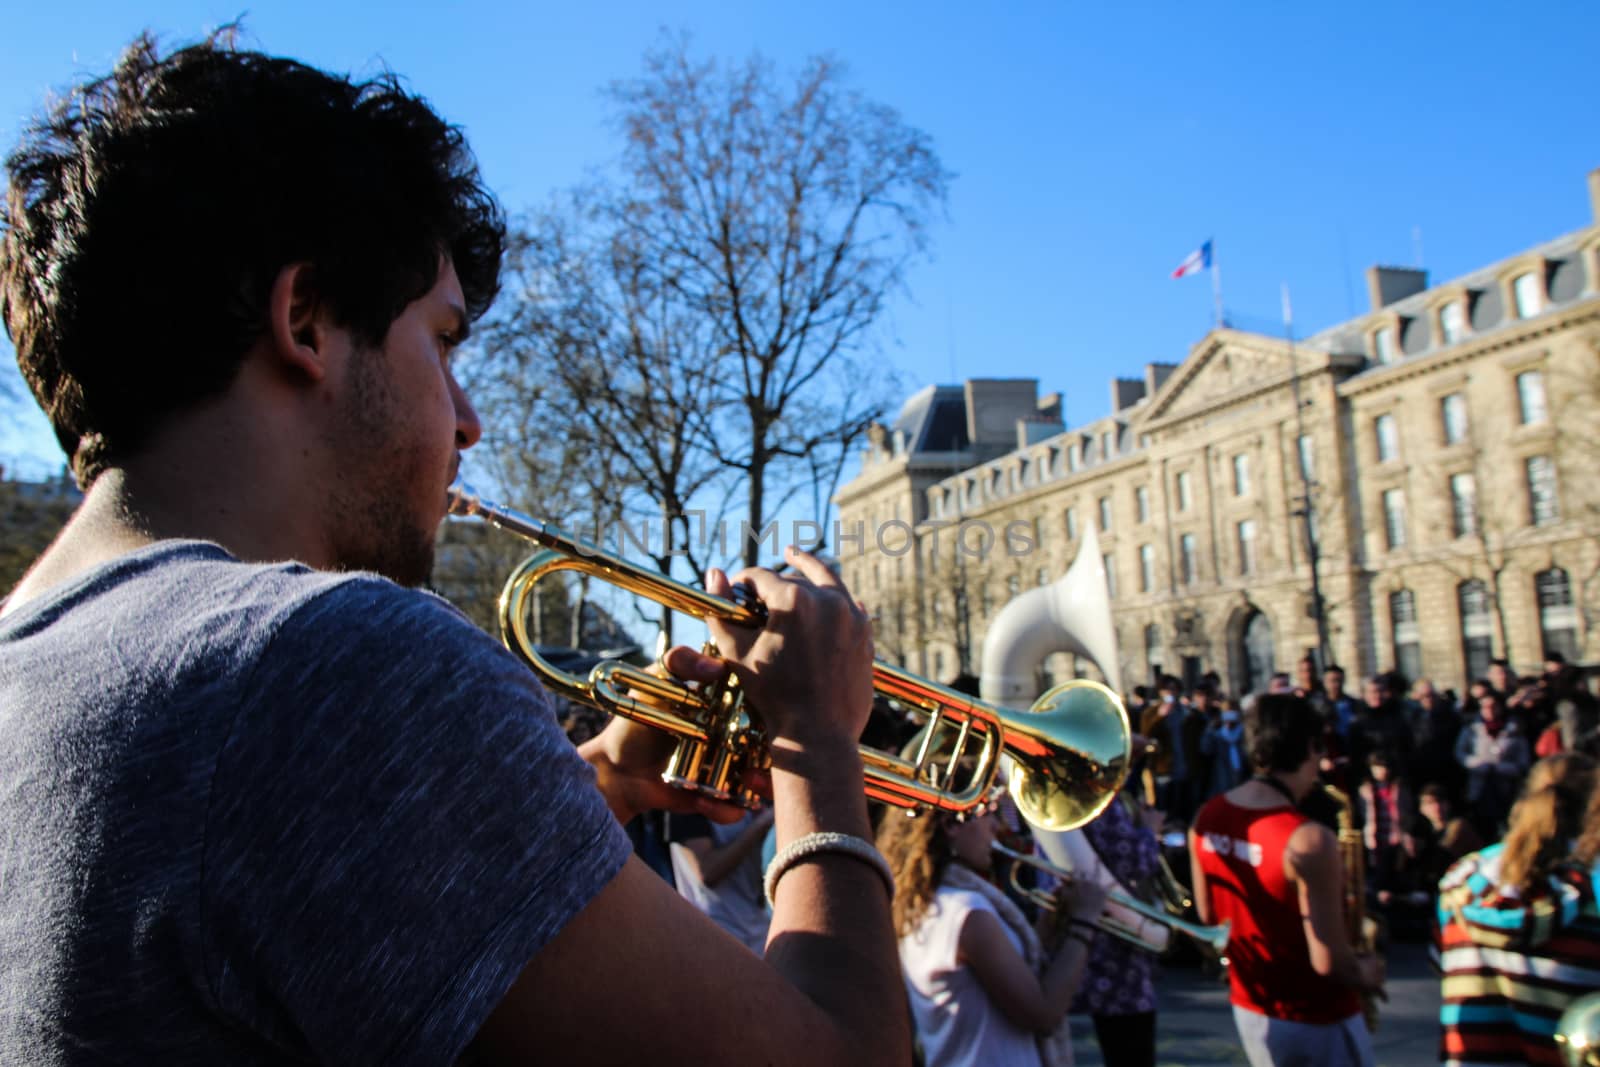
263,802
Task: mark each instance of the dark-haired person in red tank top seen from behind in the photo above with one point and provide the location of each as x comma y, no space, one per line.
1274,874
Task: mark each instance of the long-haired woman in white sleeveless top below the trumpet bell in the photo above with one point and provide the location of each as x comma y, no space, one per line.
983,989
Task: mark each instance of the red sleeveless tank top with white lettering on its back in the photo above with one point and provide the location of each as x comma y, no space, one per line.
1270,965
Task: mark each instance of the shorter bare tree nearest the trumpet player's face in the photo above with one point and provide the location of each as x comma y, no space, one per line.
625,374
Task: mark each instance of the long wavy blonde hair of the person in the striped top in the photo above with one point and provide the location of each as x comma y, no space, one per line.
1548,817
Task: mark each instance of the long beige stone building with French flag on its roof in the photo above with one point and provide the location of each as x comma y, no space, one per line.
1441,454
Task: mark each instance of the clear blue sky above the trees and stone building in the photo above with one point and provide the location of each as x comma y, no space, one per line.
1094,148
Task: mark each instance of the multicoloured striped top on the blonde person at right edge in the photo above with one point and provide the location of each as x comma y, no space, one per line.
1513,962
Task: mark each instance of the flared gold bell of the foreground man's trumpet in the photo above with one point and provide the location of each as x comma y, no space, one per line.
1071,780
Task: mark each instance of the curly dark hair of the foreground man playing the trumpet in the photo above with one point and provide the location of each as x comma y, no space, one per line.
151,210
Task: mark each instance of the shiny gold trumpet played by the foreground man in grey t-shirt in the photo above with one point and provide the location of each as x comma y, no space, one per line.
1070,753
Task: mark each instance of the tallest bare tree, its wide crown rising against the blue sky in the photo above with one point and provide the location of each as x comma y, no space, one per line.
785,217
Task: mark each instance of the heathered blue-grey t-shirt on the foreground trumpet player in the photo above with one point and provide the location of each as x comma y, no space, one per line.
263,815
